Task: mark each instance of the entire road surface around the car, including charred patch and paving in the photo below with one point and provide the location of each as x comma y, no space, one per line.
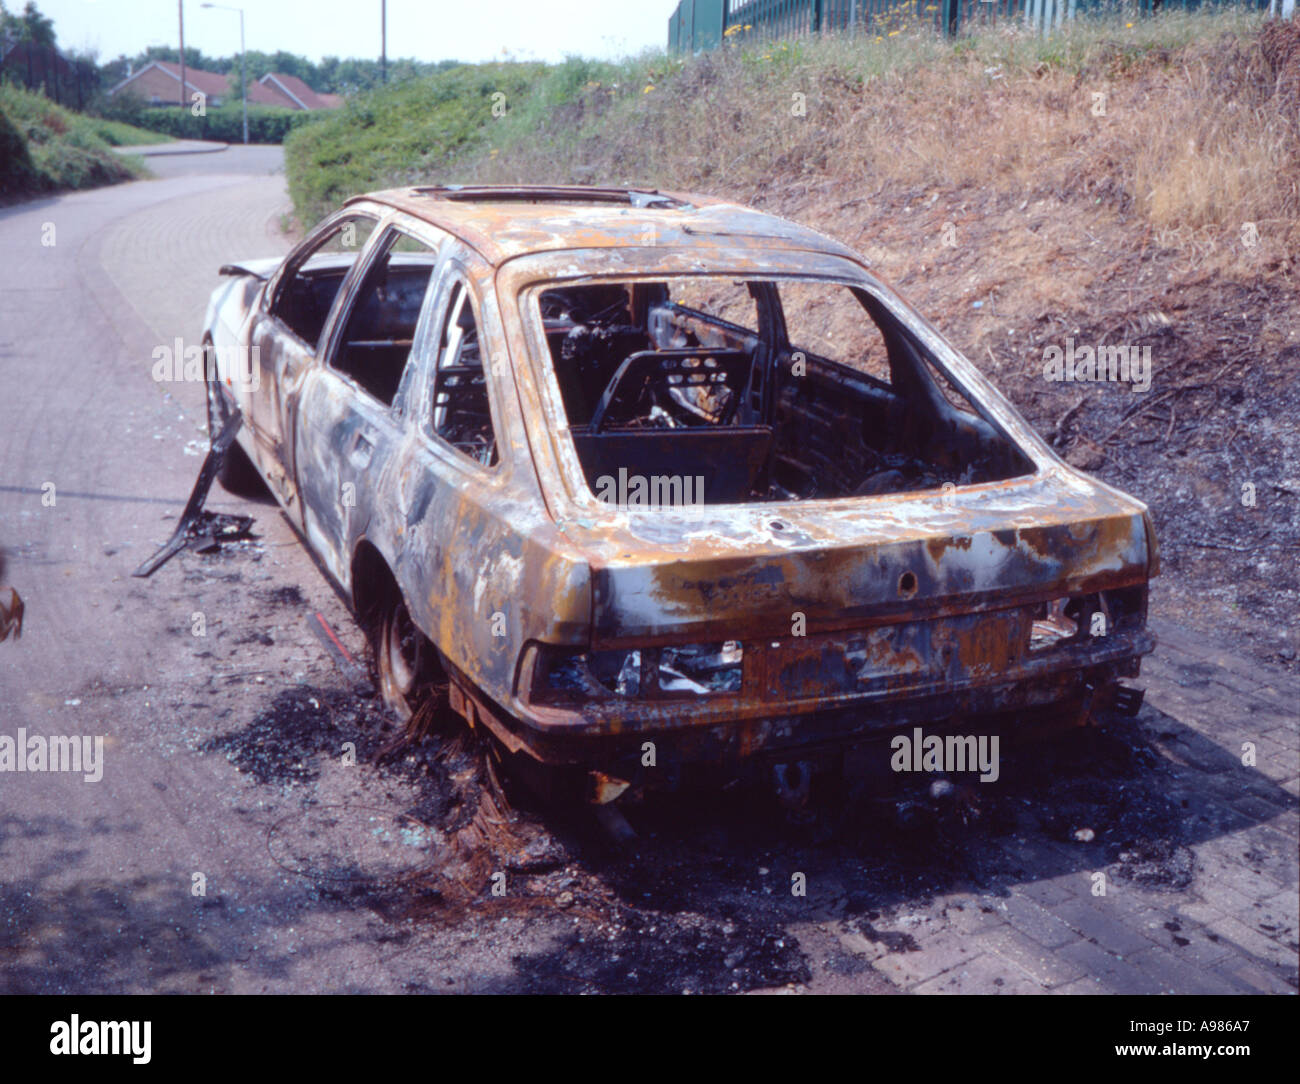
236,844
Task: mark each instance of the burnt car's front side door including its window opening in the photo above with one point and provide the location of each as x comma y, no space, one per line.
288,333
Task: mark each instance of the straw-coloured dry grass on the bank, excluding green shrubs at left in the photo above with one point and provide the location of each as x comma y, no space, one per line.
1176,124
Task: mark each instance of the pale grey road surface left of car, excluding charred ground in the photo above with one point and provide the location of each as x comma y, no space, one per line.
99,878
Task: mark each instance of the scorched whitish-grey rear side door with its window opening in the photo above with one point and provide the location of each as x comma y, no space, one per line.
350,419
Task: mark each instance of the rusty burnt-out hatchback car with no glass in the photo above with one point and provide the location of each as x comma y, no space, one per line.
657,482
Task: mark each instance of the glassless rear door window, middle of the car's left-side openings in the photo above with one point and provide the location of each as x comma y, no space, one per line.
376,342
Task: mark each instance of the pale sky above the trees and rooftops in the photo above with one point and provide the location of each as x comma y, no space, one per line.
470,31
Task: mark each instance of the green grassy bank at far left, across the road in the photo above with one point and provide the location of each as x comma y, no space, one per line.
45,148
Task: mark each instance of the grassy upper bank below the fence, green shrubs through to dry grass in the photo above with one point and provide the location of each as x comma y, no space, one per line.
1175,119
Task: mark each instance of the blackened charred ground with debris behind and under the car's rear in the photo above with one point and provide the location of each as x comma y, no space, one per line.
703,900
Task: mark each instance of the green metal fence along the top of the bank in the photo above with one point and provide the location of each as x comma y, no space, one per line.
705,24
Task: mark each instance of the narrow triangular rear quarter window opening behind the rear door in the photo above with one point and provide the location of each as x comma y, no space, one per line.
462,415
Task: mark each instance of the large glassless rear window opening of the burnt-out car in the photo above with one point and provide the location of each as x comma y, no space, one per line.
723,391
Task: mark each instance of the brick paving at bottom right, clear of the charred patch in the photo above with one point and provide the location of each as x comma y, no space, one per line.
1232,930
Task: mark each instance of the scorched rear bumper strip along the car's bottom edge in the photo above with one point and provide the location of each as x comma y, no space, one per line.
729,730
